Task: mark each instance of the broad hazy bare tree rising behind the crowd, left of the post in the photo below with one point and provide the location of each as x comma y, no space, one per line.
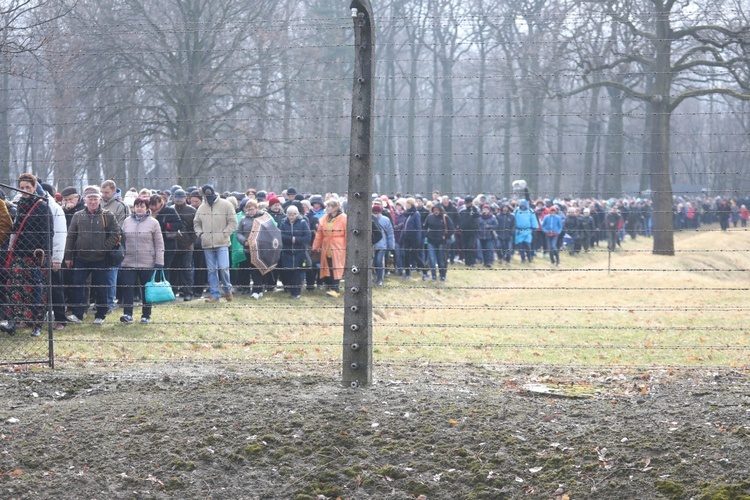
189,67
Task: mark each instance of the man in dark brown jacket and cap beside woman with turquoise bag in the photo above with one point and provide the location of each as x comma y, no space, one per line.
92,233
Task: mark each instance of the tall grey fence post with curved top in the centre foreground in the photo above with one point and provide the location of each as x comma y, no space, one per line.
357,348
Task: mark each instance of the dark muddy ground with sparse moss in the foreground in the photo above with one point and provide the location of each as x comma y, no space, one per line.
206,431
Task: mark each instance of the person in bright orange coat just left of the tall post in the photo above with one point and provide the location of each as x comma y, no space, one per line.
330,241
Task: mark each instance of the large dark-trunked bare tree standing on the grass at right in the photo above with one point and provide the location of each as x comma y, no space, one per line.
685,54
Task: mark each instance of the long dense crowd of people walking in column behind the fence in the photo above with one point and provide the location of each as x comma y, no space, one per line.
202,240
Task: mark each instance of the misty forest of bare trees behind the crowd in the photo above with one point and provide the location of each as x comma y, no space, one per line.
579,98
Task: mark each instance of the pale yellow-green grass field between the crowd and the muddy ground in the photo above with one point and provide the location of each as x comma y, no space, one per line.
631,308
